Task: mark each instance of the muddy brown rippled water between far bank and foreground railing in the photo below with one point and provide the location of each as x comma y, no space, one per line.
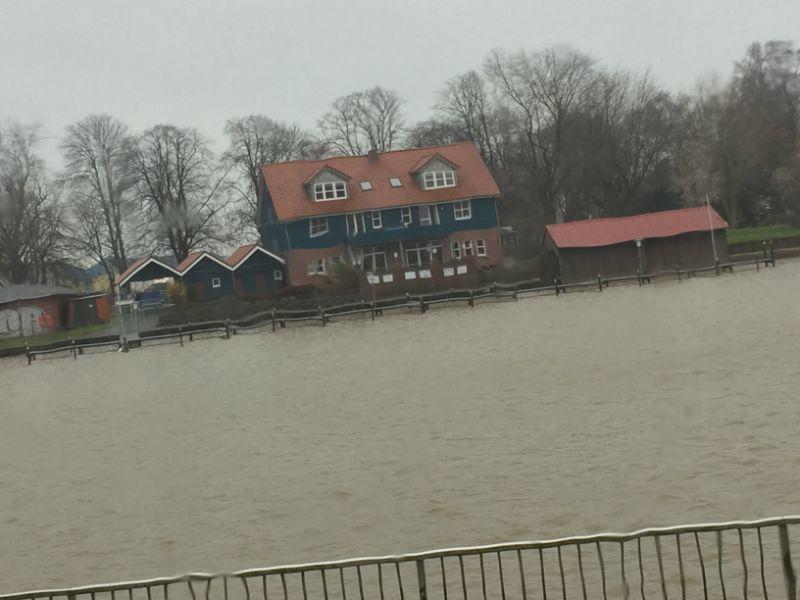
589,412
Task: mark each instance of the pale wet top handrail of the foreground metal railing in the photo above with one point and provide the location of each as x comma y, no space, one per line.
412,557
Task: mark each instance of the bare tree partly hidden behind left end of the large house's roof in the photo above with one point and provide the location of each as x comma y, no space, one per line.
257,140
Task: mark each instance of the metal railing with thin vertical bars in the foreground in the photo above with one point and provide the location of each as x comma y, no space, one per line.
741,559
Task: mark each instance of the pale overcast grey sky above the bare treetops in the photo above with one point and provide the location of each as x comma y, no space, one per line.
198,63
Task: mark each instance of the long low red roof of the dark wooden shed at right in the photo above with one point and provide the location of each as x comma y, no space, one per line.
608,231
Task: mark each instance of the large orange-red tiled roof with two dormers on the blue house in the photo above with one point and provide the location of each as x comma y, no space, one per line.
285,181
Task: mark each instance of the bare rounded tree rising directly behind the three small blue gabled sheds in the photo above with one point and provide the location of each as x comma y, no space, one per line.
180,188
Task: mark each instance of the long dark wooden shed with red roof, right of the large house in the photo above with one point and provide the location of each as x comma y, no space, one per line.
648,243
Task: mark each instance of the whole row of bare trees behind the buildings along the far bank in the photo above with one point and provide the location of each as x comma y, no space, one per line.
566,137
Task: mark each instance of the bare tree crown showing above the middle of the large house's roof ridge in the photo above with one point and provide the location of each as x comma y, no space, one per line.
364,120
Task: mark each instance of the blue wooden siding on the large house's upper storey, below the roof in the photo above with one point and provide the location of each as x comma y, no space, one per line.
484,216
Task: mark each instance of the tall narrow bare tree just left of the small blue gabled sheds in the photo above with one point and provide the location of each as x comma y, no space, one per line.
100,180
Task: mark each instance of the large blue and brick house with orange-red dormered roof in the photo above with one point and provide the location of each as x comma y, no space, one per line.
406,209
